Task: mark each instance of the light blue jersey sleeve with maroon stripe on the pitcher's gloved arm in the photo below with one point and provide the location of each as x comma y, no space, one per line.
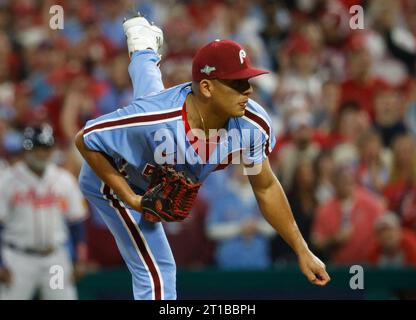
117,134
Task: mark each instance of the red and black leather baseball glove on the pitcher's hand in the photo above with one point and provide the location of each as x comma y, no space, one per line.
170,195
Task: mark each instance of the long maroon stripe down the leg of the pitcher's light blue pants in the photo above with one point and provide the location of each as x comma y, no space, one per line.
139,241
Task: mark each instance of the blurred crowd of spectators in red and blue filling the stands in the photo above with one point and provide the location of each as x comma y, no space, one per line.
342,101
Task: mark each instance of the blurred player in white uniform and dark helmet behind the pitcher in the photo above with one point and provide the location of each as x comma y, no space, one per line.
39,204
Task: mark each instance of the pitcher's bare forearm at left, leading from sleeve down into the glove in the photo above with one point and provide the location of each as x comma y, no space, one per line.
106,171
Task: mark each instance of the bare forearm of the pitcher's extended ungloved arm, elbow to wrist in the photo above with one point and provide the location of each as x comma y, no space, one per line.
276,210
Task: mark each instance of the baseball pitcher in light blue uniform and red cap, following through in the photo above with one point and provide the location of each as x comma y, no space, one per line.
146,161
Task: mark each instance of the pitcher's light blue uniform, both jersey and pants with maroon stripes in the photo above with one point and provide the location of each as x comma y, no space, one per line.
149,131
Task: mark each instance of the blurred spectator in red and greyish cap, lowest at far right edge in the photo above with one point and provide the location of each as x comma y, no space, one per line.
395,246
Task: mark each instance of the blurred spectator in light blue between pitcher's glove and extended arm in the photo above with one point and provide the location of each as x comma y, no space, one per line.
236,225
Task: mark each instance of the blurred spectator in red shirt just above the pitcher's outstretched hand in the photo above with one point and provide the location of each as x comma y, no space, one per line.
344,225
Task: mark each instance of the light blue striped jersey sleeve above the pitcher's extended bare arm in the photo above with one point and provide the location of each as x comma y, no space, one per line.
260,137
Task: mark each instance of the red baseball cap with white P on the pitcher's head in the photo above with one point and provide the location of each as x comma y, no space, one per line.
223,59
